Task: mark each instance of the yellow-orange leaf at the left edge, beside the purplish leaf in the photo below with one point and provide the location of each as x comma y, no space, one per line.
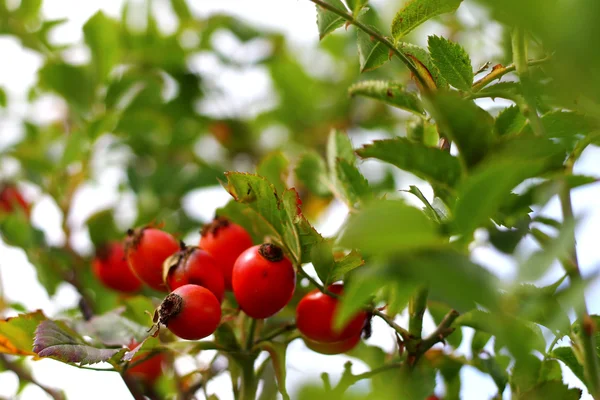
17,333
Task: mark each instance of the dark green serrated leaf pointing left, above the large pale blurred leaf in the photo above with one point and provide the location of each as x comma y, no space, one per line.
431,164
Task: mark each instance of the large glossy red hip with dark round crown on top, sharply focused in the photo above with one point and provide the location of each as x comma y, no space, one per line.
263,280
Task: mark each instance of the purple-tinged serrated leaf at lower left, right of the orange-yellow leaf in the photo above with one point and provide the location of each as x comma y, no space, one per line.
55,340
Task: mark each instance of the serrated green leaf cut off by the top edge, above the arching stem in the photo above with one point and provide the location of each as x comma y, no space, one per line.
415,12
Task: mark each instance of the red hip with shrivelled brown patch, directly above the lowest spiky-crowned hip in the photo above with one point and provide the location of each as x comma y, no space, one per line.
192,265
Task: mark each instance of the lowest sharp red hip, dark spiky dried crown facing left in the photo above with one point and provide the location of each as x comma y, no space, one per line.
190,312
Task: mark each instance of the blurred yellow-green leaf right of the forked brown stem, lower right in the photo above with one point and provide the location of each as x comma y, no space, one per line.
519,336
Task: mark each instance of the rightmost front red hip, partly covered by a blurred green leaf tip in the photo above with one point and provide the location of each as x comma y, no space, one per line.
315,317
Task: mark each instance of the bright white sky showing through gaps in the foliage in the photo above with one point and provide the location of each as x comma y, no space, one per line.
296,18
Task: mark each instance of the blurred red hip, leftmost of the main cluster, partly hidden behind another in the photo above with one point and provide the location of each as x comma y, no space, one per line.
111,268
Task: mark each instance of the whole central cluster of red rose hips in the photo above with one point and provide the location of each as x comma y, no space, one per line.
261,278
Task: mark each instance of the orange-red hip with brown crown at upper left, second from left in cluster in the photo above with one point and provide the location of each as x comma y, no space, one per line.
146,250
